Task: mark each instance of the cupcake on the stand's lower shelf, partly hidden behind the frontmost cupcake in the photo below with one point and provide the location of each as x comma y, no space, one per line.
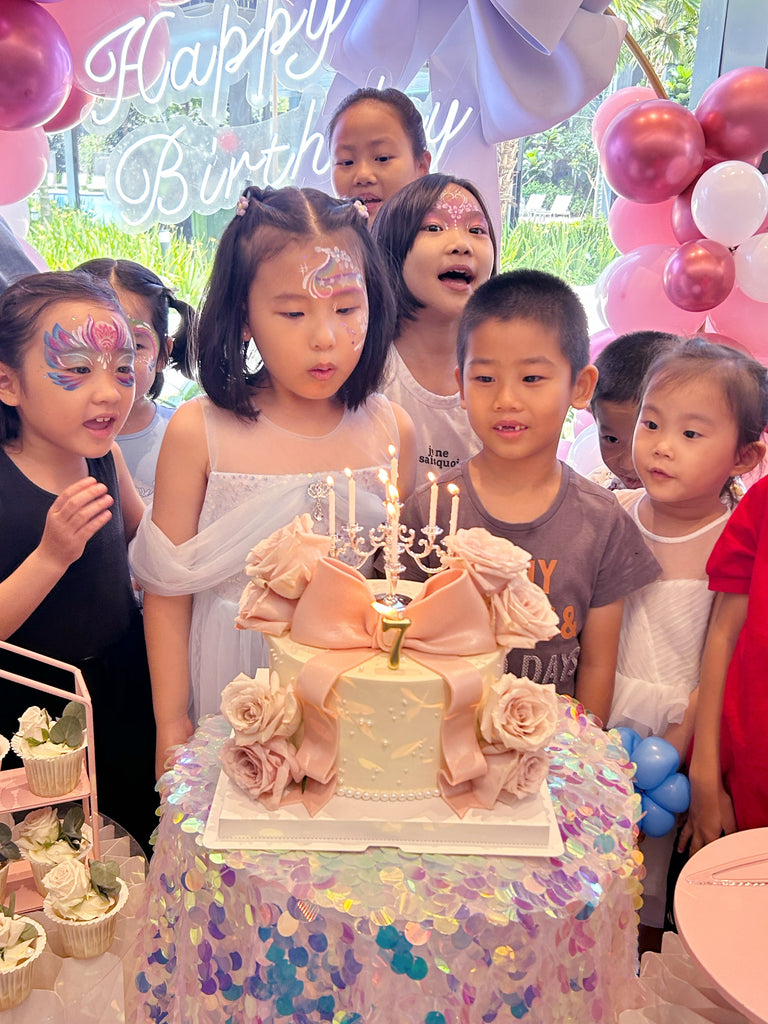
46,841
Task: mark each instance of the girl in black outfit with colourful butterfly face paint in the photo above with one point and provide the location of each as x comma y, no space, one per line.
68,507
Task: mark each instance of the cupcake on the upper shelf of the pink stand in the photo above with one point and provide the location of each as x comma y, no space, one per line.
52,750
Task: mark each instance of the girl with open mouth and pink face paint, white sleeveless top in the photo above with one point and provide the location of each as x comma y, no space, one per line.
440,246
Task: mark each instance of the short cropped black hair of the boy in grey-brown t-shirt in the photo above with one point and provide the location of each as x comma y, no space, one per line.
530,295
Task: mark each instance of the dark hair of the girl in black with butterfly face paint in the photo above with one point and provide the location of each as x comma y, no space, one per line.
24,304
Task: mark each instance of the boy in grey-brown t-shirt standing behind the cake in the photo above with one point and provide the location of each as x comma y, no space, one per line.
524,361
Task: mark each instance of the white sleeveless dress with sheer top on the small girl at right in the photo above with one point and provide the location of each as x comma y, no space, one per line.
663,629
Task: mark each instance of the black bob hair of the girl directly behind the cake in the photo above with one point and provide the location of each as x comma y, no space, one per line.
271,220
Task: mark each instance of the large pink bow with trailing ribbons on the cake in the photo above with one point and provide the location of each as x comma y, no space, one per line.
449,622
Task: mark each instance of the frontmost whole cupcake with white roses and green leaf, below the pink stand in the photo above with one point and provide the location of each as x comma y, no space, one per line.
84,903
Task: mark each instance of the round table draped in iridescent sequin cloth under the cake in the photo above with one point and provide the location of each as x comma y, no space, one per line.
386,936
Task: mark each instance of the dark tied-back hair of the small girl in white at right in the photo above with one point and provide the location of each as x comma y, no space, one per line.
743,380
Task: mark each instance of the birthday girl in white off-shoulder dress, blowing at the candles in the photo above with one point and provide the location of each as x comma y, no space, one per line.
293,336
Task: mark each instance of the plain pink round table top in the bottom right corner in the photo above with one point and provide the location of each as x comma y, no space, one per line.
721,909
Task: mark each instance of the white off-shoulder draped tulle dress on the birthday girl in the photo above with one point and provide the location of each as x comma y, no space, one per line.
242,508
